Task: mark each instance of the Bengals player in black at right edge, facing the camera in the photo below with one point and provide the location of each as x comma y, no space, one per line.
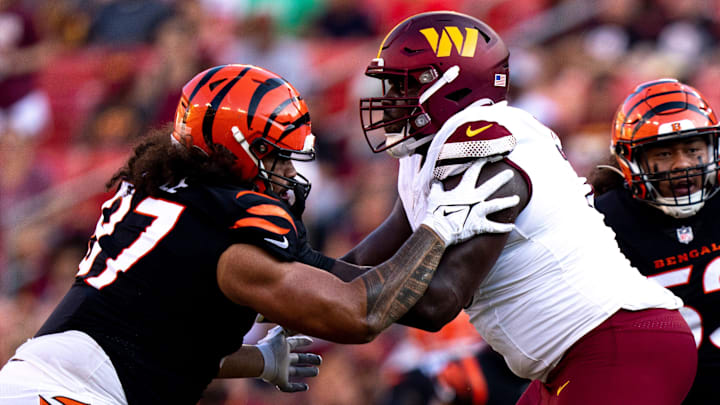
661,207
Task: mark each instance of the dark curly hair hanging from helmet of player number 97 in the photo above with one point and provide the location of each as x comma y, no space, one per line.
157,161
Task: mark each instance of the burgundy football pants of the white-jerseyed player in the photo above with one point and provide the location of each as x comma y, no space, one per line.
633,358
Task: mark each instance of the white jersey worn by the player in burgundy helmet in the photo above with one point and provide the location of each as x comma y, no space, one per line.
561,272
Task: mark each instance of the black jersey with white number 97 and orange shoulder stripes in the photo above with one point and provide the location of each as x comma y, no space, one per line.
147,289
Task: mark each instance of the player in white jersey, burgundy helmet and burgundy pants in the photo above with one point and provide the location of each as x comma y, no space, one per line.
555,296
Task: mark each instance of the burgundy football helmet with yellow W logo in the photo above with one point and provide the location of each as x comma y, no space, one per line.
436,64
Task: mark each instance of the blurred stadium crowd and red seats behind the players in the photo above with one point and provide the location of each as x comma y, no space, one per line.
82,80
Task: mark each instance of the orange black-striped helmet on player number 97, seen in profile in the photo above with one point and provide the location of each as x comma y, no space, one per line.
251,112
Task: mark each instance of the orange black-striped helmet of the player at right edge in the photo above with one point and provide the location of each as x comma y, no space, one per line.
660,111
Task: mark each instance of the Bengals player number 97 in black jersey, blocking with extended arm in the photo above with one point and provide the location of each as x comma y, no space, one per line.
204,233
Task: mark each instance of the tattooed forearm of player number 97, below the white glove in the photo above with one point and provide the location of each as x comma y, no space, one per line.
396,285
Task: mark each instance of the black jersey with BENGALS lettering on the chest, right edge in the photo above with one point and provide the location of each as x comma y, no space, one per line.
684,256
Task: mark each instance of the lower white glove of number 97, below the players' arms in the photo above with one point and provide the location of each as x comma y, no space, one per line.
282,362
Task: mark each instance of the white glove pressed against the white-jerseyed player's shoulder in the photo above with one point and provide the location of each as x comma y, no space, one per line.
461,213
